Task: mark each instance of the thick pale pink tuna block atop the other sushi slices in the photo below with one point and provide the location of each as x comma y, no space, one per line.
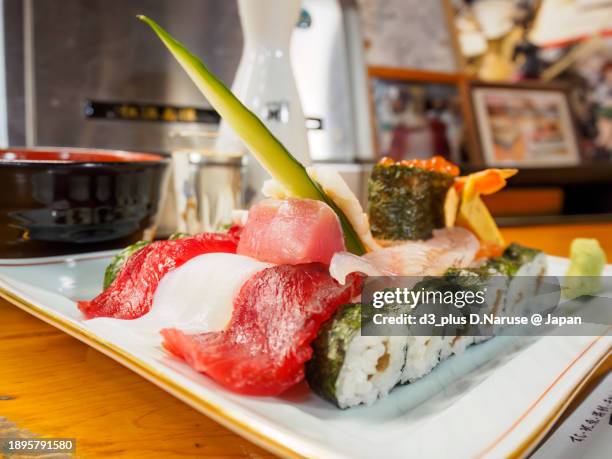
291,231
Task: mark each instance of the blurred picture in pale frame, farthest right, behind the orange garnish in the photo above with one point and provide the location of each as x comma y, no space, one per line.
524,125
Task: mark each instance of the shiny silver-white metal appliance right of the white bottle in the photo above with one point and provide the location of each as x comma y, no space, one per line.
330,79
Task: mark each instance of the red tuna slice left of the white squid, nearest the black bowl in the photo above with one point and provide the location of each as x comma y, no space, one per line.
131,294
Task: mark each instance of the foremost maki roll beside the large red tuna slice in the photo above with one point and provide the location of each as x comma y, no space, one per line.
349,369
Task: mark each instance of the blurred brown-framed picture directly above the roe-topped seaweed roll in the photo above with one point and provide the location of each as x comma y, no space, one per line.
417,114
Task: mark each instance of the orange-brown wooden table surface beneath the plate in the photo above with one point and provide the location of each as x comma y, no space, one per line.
54,386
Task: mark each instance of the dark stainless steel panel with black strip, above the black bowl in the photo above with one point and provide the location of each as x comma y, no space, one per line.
86,73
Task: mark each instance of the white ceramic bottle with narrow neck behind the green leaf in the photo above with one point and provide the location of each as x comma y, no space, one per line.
264,81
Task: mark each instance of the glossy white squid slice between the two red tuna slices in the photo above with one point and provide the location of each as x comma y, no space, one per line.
196,297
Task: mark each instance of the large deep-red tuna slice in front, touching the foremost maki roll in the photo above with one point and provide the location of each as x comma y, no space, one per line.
276,316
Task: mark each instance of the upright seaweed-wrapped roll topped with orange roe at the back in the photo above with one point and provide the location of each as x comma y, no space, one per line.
406,199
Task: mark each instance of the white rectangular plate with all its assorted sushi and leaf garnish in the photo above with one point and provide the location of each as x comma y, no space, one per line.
261,326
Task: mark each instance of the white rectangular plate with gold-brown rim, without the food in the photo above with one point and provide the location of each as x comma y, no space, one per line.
497,399
